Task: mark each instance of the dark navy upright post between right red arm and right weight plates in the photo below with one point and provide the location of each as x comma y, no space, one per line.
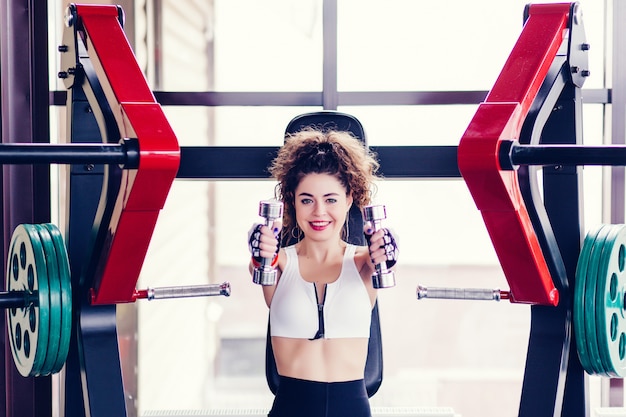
554,381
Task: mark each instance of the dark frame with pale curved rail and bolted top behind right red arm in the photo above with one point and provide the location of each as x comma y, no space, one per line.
554,381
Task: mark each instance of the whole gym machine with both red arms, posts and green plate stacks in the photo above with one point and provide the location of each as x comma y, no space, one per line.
530,118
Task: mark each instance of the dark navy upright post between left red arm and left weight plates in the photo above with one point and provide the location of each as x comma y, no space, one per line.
93,384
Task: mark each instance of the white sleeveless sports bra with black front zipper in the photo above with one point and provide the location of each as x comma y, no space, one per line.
346,311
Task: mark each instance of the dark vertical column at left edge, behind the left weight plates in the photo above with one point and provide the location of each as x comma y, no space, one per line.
26,189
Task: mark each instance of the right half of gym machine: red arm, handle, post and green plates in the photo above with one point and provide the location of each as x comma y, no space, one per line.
531,118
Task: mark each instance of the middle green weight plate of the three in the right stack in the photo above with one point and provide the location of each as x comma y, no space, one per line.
590,293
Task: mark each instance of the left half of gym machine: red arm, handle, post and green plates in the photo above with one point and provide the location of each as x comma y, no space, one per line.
61,296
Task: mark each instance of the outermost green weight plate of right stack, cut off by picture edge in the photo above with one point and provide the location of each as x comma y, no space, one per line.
610,308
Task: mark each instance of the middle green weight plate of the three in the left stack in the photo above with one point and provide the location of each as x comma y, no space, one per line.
54,334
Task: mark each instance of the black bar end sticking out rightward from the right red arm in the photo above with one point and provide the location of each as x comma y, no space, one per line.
513,154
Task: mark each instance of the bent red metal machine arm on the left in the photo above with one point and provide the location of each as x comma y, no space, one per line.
143,190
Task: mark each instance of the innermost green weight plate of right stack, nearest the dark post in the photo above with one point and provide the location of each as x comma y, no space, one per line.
579,300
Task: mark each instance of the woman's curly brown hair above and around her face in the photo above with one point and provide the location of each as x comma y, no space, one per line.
337,153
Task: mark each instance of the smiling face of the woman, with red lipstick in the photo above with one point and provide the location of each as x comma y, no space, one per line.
321,206
